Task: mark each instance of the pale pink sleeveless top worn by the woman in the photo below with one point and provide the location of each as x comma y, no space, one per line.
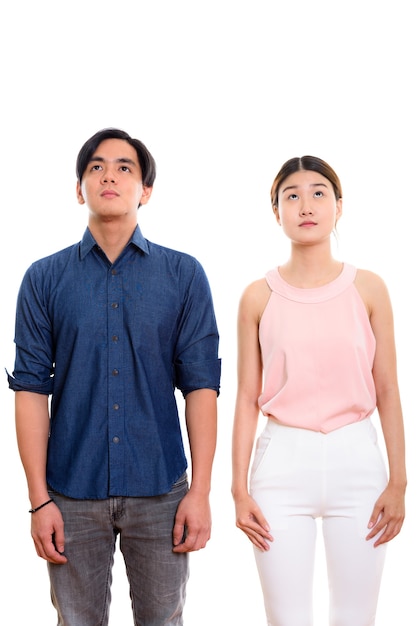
317,348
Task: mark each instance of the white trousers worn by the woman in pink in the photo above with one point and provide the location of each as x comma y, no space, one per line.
297,476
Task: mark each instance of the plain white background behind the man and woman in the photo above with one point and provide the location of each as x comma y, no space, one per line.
222,93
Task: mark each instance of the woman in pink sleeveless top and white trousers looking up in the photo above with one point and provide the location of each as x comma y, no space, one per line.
316,356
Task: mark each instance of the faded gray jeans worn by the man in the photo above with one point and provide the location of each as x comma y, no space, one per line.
80,589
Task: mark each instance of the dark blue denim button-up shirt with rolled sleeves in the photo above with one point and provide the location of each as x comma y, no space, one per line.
111,342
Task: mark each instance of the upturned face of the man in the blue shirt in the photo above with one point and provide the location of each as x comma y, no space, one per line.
111,185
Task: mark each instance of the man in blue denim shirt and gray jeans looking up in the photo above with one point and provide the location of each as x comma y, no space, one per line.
109,328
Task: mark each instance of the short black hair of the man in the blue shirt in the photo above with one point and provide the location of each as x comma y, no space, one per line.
145,158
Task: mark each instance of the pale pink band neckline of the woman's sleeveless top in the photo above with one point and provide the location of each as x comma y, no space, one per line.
311,294
